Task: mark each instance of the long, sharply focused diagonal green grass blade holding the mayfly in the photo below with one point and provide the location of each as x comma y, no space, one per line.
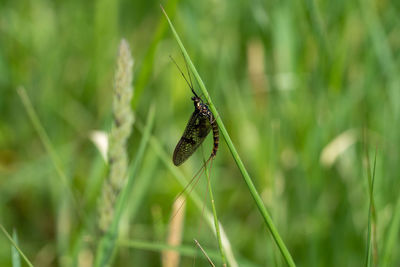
253,191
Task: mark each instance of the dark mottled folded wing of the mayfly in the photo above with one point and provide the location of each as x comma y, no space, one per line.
195,132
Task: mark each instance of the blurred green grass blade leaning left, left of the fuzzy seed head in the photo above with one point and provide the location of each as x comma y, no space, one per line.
48,145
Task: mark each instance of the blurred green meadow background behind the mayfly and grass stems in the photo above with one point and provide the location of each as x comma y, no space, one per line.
307,89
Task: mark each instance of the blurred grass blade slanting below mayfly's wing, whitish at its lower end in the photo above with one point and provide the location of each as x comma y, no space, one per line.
179,176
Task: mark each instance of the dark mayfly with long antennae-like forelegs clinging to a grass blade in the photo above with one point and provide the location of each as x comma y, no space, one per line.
200,124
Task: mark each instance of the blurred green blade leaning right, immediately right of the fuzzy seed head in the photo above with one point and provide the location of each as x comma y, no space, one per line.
108,241
